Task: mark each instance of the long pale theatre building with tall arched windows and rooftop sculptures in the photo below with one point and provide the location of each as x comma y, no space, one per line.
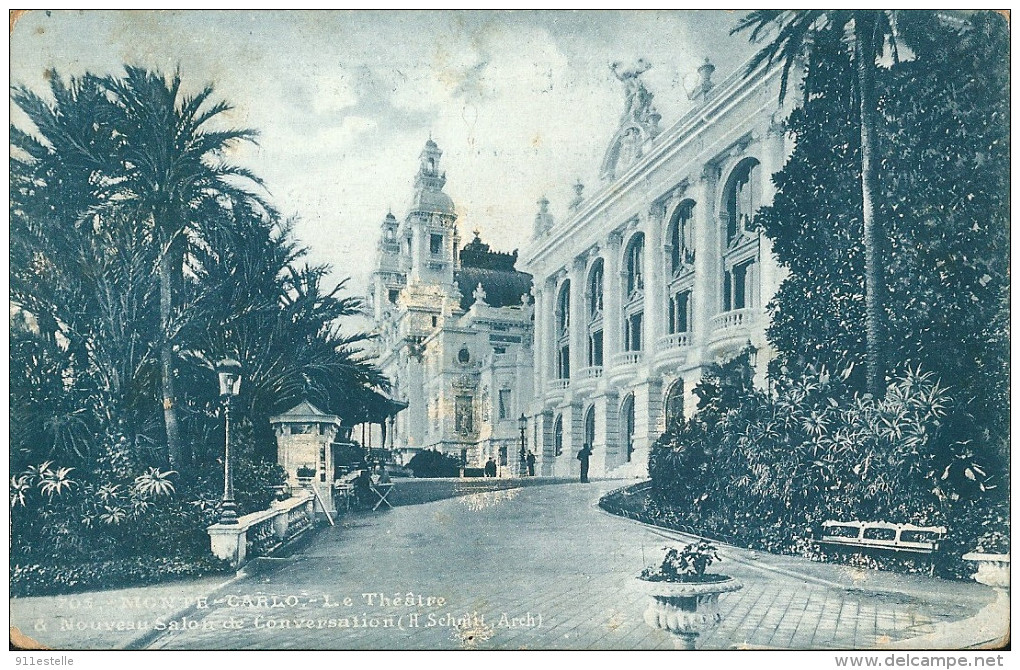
656,275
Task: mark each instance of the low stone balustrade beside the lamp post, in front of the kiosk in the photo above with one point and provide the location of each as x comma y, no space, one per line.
261,534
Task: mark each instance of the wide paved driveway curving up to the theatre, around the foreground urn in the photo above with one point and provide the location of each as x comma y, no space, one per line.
544,569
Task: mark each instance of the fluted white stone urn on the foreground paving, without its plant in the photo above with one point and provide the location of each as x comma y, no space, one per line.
686,609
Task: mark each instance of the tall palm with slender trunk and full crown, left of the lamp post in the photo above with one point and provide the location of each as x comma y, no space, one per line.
170,164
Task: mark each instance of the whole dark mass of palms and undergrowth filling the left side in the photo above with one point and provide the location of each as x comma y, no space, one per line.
139,260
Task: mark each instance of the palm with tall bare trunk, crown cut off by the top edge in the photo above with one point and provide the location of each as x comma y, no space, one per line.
870,30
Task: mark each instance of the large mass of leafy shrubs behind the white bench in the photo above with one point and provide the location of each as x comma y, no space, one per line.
764,470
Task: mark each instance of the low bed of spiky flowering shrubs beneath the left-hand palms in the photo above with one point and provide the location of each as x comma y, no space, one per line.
115,526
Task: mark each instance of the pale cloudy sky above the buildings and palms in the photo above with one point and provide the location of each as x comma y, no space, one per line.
522,104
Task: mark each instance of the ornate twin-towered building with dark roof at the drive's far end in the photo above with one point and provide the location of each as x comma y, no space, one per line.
454,332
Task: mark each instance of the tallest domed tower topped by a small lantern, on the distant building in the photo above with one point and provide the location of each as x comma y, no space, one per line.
431,224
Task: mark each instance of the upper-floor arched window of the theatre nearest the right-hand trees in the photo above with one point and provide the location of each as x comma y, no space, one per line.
742,198
